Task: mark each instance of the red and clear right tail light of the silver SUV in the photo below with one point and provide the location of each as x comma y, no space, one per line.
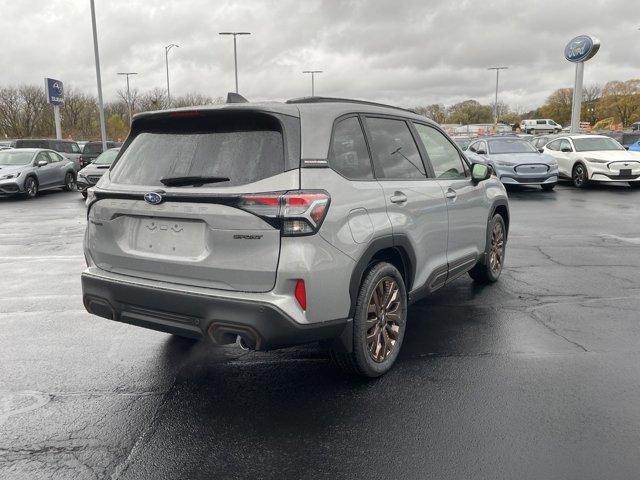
298,212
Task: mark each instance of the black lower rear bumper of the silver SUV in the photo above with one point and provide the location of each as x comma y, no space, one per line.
261,325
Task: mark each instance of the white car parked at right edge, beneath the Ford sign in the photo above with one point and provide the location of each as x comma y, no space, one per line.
594,158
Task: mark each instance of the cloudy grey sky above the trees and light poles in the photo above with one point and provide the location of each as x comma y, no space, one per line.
409,52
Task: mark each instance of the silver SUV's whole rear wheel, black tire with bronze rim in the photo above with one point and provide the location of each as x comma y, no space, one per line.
374,348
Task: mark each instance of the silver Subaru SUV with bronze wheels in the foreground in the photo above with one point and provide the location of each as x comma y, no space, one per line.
277,224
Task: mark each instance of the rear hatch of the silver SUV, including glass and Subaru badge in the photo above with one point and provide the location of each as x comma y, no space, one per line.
209,234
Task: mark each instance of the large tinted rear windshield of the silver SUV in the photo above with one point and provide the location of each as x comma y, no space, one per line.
242,147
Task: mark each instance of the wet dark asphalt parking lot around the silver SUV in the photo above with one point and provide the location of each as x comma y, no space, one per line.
535,377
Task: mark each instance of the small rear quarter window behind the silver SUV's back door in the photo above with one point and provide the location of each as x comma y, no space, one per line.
349,155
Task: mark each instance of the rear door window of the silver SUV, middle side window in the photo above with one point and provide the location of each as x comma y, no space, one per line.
395,154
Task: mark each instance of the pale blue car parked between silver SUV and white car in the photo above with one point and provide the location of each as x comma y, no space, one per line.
516,162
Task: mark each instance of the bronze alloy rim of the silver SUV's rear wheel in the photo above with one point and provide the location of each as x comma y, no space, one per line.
383,319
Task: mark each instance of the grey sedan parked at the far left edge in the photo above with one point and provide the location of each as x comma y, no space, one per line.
26,171
